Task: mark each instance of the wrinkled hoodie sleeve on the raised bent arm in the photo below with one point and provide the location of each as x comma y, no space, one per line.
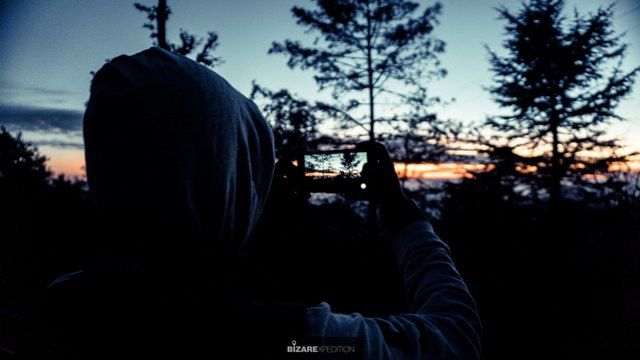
442,322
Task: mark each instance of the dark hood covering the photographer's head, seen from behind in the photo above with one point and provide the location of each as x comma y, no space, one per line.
171,145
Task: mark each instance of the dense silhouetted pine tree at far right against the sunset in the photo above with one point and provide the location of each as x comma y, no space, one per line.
561,79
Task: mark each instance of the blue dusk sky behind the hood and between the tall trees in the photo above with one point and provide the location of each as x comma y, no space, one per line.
49,48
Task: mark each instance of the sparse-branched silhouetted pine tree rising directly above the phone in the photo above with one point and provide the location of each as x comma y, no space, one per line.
379,49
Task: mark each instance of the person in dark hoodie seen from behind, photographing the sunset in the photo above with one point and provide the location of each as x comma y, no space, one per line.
179,165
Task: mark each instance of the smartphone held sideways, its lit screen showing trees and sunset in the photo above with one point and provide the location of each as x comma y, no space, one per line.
335,171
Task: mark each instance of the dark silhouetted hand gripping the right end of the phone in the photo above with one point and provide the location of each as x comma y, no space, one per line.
384,187
